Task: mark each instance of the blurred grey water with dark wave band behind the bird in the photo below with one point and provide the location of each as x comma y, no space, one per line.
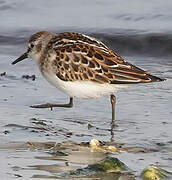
139,26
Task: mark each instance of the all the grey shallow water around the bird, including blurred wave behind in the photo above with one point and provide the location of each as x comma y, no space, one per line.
140,32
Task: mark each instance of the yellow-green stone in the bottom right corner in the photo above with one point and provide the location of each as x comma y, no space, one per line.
153,172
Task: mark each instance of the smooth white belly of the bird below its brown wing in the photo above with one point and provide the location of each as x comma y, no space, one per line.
82,89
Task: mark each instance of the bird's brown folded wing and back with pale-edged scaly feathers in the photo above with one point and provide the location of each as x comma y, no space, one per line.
81,58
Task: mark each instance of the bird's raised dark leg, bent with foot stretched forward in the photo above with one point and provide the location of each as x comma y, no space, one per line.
69,105
